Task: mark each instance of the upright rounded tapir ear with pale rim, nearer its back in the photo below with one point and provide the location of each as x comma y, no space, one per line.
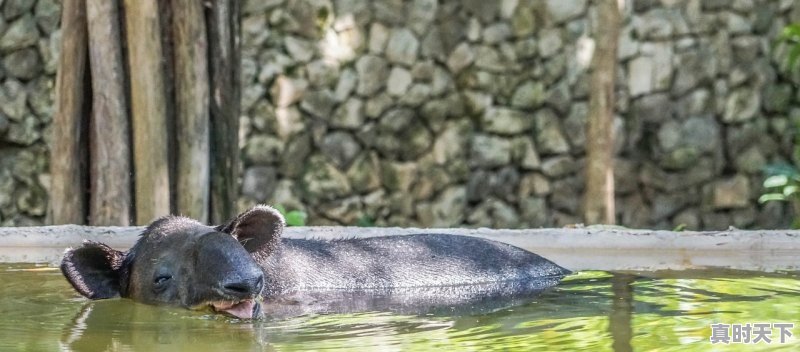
258,229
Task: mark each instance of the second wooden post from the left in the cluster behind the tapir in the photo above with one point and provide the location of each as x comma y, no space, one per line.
110,181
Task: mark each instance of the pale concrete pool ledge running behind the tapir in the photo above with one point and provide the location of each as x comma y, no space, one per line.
577,249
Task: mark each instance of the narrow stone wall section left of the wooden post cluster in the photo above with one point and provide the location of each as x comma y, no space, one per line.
29,41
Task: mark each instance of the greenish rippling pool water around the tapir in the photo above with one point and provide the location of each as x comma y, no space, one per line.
591,311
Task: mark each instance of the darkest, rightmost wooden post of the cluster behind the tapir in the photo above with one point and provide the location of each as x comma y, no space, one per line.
224,44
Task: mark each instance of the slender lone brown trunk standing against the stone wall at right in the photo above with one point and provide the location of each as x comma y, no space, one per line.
598,202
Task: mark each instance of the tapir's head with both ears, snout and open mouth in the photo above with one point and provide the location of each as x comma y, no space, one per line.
179,261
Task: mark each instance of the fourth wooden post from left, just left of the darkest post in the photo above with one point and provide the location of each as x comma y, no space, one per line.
192,108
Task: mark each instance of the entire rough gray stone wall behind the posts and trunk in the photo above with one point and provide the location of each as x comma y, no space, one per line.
467,113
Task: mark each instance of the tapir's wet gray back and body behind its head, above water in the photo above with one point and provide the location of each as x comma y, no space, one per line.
406,262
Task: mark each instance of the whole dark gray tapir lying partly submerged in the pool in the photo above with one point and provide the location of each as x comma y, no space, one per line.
179,261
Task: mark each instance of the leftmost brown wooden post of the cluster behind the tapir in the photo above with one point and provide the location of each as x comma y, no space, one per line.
67,193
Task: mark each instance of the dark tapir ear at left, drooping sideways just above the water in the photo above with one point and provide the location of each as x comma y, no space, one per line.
93,269
